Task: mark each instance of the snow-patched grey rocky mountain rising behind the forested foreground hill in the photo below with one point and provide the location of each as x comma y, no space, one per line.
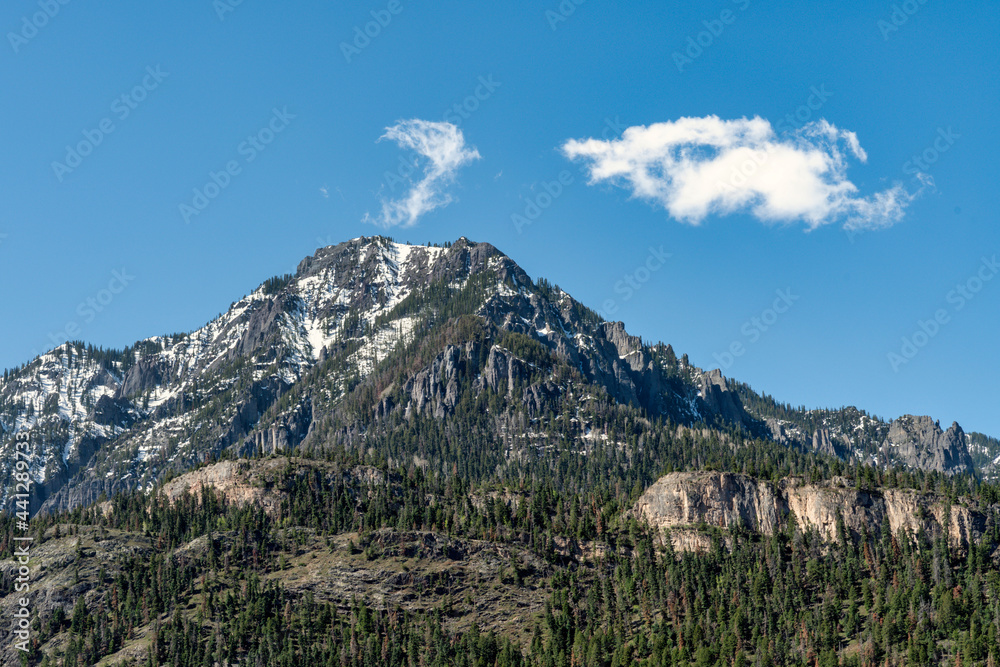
280,367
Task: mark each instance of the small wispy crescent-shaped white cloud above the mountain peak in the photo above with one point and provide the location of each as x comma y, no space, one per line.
442,147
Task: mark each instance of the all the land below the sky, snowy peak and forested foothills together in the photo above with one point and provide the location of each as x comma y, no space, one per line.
410,455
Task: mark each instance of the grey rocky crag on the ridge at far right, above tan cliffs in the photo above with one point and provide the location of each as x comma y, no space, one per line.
919,442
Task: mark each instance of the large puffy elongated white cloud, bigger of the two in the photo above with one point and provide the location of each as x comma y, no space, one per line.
696,167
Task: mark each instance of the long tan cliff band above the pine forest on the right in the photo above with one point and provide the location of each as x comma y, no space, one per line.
683,501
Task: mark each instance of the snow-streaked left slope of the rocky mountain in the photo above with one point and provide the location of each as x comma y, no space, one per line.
249,355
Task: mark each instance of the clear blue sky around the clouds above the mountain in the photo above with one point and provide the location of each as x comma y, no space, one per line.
206,83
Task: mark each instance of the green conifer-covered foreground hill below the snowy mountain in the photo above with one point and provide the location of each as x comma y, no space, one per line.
334,561
